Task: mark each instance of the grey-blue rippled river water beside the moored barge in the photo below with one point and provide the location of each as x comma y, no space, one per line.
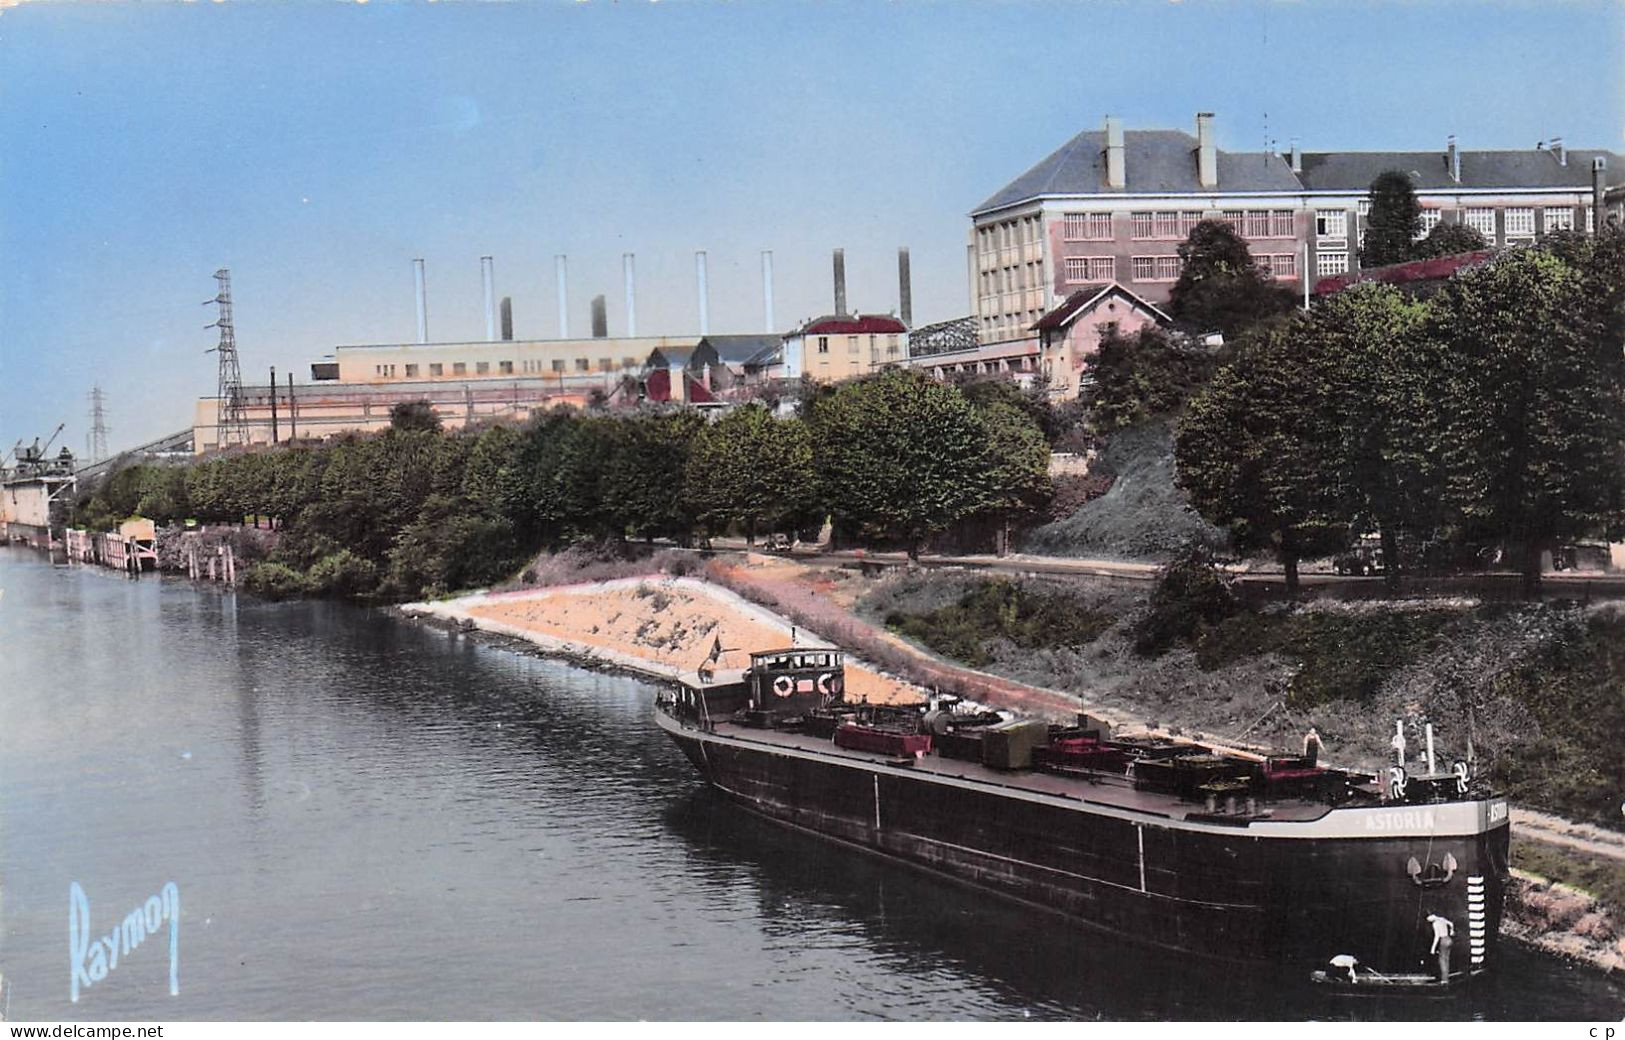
366,818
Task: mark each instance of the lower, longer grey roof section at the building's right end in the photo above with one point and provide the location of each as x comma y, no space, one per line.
1354,171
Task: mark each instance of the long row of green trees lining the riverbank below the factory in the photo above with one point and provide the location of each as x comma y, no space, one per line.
896,459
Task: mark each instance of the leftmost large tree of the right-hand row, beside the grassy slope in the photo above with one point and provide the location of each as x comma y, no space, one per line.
1257,451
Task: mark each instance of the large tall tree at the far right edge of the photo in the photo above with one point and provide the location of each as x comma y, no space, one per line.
1533,404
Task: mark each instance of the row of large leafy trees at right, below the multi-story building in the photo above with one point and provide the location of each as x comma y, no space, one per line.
1491,415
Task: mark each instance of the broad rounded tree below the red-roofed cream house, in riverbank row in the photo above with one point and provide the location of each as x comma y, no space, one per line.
899,456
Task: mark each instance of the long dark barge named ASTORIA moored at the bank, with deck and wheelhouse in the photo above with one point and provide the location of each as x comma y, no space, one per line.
1356,882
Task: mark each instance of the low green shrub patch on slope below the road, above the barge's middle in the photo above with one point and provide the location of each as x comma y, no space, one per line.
1000,610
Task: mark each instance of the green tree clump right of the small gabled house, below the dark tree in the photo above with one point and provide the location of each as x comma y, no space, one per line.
1150,375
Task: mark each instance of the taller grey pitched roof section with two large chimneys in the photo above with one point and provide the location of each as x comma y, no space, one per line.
1156,162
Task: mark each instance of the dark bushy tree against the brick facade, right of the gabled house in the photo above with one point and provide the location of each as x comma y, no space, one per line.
1221,288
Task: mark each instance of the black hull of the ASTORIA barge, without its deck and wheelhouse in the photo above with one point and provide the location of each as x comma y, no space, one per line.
1223,893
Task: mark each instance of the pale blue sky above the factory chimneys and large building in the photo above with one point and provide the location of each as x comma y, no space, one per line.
316,149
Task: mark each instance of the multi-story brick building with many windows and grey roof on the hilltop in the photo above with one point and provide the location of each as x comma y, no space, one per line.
1114,206
